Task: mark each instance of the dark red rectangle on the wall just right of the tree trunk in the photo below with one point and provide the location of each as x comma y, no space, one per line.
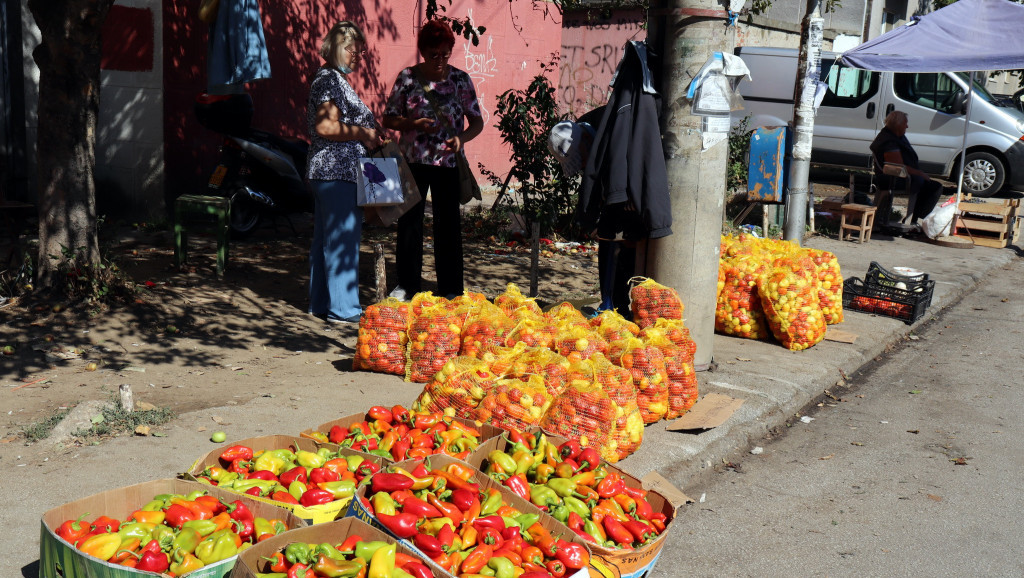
129,40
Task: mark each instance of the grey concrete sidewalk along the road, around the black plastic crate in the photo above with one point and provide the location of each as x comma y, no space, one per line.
776,383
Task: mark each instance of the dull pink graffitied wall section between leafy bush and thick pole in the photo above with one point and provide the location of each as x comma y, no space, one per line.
590,53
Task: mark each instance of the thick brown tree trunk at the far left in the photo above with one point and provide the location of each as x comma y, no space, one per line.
69,105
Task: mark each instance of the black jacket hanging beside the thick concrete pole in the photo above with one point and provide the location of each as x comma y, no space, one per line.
626,162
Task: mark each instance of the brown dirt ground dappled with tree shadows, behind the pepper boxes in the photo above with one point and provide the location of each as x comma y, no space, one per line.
192,341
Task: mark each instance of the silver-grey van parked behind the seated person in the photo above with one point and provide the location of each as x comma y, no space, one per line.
858,102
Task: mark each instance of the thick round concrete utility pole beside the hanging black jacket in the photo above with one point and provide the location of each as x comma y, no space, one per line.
687,33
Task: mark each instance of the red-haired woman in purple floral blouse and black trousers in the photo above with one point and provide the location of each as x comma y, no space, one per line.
432,104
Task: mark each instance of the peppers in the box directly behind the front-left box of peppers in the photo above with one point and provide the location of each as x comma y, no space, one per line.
288,475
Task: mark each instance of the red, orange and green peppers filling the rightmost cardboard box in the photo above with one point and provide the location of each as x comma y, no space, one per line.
572,484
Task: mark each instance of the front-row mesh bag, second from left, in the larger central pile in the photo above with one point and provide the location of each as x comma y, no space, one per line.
516,403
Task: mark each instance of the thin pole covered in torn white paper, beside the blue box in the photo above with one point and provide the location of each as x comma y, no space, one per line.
808,73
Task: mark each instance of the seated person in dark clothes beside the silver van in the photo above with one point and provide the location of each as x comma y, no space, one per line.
891,146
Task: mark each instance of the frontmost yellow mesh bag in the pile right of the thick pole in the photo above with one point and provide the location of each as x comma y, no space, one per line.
790,297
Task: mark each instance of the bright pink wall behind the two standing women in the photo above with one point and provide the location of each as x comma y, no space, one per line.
519,38
